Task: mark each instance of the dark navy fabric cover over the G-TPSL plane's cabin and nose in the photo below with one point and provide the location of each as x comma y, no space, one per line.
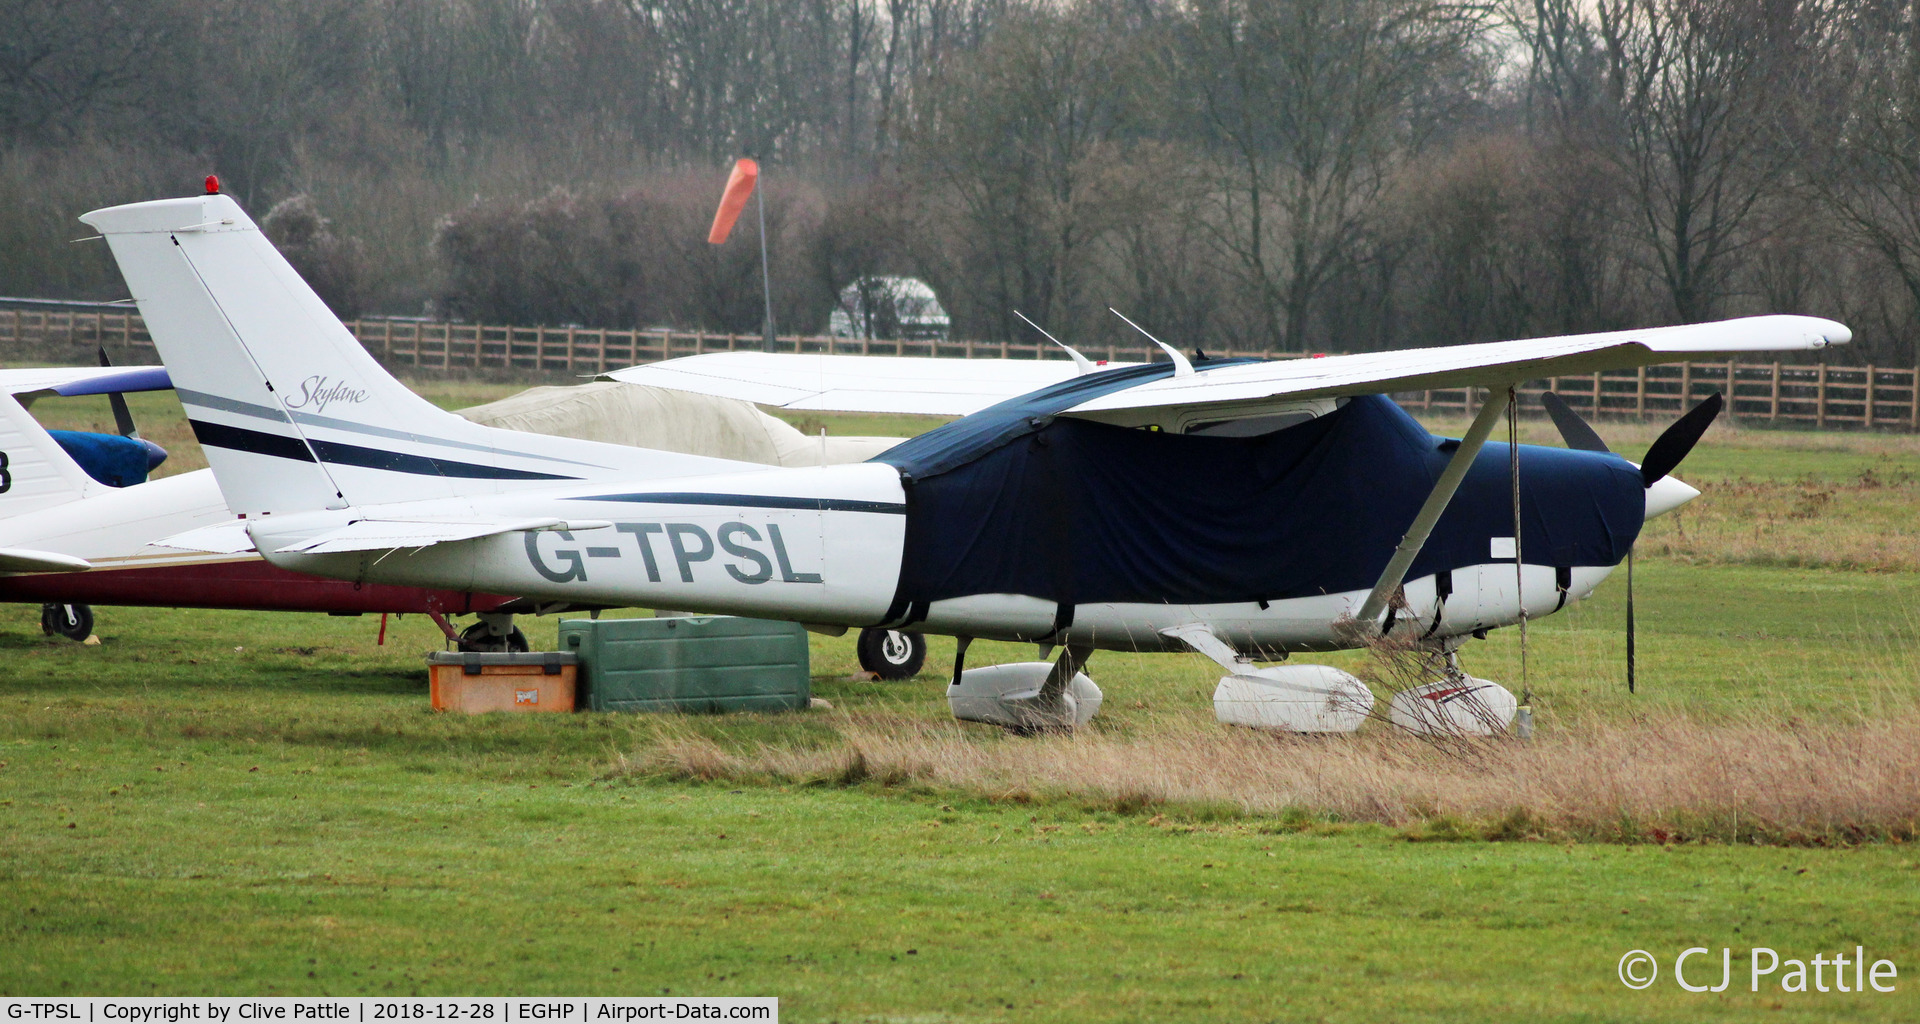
1082,512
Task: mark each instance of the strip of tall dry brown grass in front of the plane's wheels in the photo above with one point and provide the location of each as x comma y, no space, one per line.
1664,779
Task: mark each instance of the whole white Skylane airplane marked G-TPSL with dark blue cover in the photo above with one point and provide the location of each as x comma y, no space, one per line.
1228,506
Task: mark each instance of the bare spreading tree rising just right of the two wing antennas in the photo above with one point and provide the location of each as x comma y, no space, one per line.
1310,105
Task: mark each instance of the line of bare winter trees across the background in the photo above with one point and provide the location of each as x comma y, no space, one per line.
1291,176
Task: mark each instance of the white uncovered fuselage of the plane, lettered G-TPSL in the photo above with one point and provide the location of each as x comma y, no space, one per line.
825,547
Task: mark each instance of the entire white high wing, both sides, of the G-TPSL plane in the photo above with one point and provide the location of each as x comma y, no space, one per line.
961,387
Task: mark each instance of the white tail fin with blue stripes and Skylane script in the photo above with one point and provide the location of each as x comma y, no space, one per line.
289,406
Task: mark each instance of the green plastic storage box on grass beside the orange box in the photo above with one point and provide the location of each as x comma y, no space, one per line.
702,664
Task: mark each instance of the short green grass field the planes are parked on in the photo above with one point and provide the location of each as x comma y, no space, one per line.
262,804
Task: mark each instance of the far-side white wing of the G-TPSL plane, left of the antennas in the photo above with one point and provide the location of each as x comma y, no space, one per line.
853,383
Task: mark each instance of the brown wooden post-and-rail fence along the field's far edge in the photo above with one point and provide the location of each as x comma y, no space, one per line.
1817,395
